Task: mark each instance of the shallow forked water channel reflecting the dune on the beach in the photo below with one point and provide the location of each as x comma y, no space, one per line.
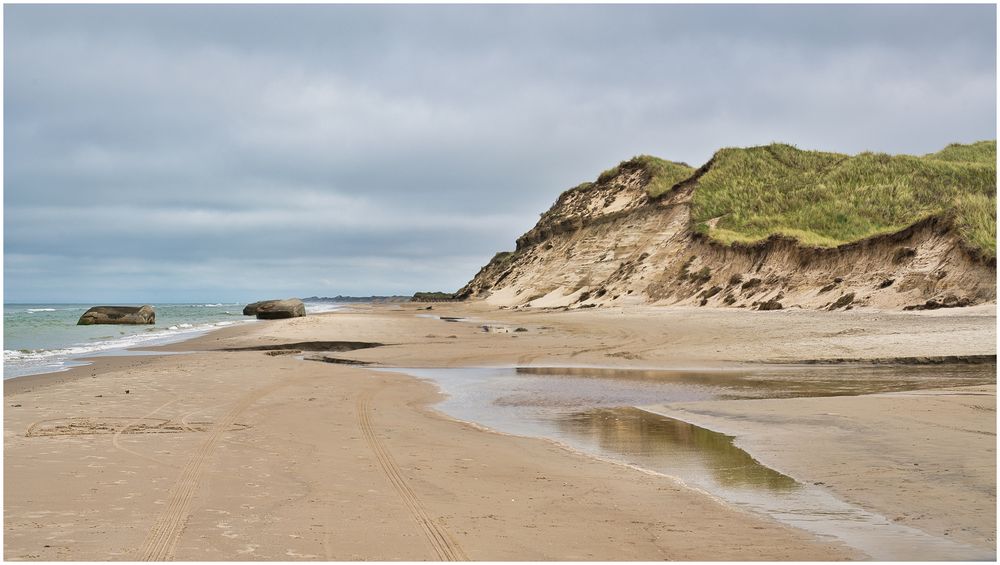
594,411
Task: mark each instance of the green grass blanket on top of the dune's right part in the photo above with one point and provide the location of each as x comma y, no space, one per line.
828,199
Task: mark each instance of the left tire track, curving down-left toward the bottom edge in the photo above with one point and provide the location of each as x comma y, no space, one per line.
160,542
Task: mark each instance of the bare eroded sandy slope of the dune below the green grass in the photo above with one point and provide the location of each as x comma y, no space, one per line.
610,243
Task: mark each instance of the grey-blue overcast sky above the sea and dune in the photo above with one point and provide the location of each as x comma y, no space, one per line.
176,153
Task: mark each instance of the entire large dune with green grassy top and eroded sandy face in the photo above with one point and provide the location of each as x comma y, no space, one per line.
766,228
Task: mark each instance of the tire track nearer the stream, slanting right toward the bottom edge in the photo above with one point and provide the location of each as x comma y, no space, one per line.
444,546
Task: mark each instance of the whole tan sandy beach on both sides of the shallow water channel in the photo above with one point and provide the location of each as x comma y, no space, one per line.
216,453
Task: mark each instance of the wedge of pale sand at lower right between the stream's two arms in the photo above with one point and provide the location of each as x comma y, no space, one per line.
922,458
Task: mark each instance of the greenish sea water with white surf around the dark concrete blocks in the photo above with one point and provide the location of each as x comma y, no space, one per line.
44,338
